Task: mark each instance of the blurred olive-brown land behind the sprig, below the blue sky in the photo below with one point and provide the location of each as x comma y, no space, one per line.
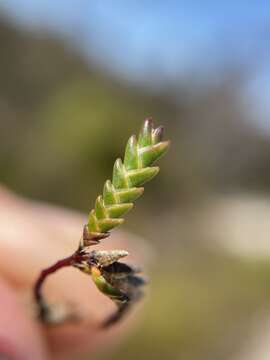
65,120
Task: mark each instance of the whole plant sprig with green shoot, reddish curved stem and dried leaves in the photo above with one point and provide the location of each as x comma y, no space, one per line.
115,279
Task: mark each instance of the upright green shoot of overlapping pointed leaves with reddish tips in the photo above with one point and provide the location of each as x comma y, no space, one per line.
127,180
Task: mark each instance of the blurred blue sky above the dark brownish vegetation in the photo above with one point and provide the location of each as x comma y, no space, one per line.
164,38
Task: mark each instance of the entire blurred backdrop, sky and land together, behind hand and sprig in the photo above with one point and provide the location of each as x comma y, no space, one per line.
78,77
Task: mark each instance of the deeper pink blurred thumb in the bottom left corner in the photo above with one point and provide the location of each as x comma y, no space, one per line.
20,338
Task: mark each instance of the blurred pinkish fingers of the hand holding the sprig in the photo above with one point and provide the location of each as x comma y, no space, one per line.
32,237
